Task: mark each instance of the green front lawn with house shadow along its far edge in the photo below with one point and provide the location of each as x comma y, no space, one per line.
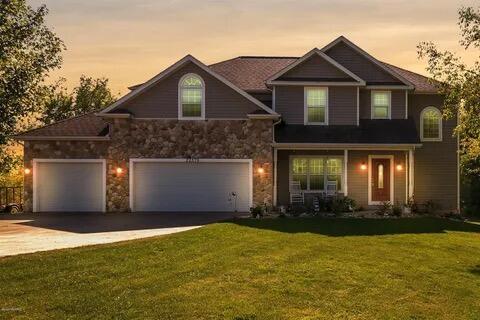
259,269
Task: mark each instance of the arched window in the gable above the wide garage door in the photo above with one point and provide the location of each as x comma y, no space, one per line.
191,97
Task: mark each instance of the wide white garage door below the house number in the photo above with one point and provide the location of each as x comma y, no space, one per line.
200,186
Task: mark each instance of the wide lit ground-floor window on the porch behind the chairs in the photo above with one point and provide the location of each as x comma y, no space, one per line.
314,173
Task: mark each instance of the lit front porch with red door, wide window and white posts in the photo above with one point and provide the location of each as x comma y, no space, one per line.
368,175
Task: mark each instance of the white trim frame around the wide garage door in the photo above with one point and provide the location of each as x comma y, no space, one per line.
132,161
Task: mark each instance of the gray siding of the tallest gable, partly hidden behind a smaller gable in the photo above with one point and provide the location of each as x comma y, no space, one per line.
358,64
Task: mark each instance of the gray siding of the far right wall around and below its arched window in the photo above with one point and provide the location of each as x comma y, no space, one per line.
435,162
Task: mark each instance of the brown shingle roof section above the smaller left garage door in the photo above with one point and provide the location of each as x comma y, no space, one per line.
87,125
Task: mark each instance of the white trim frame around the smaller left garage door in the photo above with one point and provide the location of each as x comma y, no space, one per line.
35,183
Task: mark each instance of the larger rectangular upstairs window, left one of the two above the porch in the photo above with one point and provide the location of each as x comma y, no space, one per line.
316,105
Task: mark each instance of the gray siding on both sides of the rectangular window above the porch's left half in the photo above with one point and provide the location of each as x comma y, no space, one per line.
342,104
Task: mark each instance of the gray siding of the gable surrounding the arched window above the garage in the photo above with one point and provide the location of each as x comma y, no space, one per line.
161,101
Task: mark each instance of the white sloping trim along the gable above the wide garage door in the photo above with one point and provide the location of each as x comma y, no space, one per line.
172,68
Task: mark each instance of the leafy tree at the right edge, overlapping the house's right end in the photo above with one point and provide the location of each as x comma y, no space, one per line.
460,85
